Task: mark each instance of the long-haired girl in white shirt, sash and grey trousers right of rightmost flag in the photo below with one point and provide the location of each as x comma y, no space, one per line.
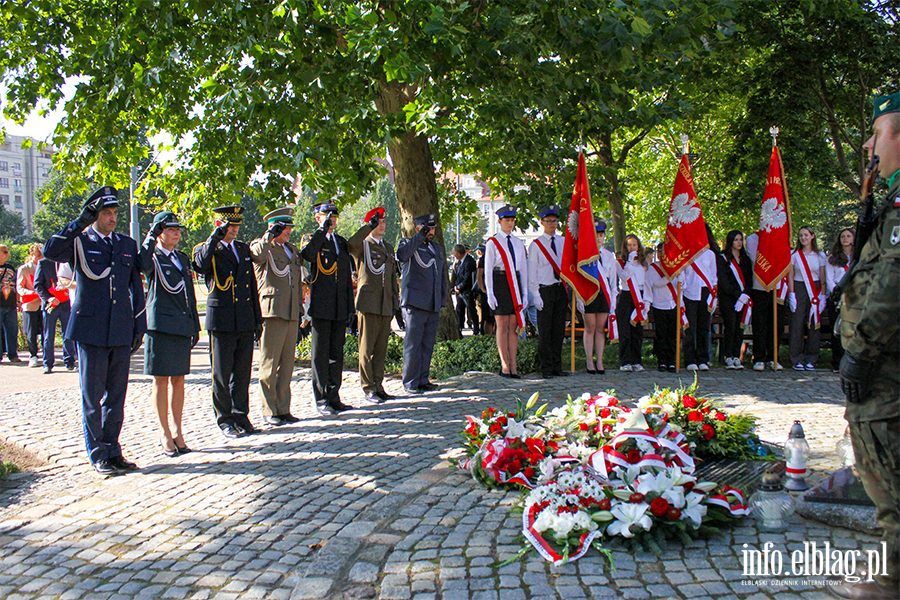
806,279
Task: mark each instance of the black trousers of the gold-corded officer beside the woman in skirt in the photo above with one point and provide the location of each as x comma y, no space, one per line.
231,354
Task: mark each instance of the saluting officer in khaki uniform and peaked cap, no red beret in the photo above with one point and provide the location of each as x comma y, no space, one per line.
278,279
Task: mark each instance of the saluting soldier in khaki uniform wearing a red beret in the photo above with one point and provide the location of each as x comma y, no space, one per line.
377,297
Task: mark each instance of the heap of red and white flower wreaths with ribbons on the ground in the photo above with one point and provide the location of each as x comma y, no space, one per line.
597,469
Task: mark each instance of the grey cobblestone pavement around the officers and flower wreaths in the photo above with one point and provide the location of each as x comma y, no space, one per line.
363,505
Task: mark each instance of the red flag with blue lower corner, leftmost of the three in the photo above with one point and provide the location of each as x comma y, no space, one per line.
580,262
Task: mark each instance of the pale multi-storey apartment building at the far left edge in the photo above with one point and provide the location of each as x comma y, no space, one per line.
22,172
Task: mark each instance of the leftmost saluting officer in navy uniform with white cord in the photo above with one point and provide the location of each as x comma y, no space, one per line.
107,321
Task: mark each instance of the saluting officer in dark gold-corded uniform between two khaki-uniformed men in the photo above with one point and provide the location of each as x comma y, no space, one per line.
330,307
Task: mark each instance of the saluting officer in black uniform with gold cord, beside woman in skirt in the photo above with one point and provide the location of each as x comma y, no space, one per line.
233,319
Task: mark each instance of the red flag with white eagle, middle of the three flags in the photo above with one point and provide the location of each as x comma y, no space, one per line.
686,232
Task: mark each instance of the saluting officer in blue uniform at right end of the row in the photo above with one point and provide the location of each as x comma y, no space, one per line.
423,291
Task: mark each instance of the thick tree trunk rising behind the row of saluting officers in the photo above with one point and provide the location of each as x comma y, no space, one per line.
415,182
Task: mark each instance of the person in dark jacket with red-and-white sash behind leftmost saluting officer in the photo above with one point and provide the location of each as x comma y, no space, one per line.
57,307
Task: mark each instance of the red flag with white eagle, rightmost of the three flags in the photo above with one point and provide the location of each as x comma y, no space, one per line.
773,255
